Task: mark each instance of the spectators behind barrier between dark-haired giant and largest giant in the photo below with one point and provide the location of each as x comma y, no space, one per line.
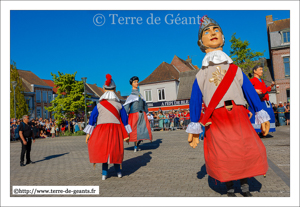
169,120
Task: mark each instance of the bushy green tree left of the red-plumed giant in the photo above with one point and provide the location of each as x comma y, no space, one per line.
70,98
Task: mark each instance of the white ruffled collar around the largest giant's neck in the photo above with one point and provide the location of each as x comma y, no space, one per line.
216,57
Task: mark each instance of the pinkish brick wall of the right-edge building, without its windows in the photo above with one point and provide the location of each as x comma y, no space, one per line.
279,73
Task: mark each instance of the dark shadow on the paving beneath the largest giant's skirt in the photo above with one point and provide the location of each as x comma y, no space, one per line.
219,187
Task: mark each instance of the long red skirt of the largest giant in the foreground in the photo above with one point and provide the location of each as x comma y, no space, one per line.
232,148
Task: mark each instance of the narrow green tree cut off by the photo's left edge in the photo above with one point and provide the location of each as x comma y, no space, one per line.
21,105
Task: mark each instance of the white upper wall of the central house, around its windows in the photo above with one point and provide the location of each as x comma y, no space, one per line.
170,87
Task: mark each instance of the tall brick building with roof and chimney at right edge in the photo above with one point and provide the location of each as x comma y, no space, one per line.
279,49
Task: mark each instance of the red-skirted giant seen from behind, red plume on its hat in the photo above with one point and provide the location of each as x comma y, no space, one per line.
105,141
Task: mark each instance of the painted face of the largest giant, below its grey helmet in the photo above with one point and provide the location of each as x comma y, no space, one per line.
212,37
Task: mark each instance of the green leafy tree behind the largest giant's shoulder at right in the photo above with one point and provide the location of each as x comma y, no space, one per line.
243,56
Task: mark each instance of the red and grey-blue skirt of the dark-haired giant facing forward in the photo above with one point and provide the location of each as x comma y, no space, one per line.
135,123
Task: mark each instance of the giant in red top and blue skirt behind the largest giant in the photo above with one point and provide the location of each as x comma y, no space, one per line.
262,90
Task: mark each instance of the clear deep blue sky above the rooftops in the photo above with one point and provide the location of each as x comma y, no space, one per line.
68,41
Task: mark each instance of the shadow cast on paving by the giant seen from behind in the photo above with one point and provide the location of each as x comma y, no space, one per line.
132,165
